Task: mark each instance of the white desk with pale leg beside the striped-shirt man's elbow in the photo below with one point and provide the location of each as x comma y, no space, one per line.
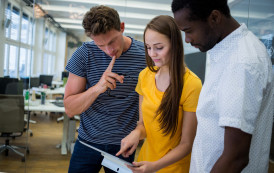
49,107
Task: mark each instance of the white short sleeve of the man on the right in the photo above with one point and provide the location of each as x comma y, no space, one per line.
240,97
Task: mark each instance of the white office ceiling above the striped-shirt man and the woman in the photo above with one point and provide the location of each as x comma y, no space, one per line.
136,14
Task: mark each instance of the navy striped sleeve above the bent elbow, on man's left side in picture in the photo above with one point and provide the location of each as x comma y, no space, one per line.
77,62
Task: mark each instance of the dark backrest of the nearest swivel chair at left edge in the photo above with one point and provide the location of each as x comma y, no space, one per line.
11,113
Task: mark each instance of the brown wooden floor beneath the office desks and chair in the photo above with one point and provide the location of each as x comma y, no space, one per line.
44,157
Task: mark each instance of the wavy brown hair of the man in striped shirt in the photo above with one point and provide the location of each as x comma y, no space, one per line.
101,19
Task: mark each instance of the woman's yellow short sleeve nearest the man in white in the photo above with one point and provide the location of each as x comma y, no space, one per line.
190,95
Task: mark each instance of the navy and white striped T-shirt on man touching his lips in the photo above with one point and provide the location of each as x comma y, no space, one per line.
113,115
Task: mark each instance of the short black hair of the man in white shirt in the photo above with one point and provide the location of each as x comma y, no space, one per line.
201,9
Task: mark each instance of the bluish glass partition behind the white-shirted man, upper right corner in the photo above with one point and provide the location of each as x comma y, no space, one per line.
259,18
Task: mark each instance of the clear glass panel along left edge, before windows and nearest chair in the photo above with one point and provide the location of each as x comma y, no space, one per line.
15,47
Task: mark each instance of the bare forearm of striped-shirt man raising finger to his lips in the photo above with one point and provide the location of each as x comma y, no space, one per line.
78,103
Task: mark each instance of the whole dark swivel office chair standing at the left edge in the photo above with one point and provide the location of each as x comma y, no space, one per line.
12,122
